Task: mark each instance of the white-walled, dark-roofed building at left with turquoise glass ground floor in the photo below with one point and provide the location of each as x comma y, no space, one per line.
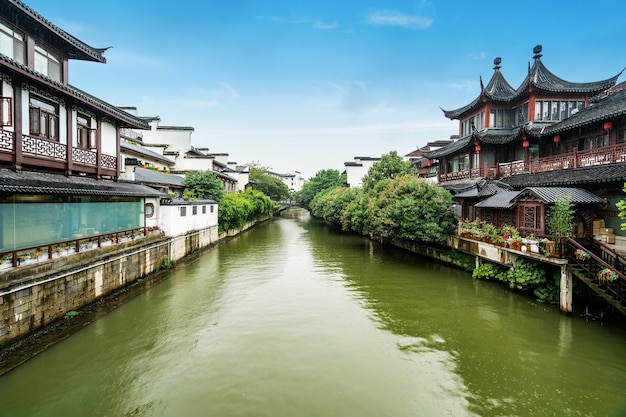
59,146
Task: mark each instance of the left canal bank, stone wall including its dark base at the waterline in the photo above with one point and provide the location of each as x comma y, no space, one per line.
44,303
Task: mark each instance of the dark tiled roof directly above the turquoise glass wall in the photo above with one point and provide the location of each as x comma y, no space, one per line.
26,182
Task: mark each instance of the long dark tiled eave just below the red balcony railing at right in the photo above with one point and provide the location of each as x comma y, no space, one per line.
567,177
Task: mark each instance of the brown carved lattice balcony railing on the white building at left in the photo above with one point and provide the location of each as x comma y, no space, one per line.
42,152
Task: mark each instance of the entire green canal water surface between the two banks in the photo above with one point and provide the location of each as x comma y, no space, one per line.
296,319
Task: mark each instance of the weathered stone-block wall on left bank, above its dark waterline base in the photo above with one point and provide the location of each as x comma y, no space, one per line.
33,296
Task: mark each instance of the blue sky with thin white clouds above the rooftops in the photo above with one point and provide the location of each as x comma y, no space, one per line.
308,85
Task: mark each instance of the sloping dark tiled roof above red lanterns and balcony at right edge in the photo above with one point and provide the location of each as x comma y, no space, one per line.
610,106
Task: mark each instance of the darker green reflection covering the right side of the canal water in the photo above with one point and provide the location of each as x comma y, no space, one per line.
511,356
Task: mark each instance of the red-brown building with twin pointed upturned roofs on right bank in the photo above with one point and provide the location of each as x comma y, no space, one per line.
548,132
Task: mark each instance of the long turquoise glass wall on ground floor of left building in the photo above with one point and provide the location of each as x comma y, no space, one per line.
30,220
